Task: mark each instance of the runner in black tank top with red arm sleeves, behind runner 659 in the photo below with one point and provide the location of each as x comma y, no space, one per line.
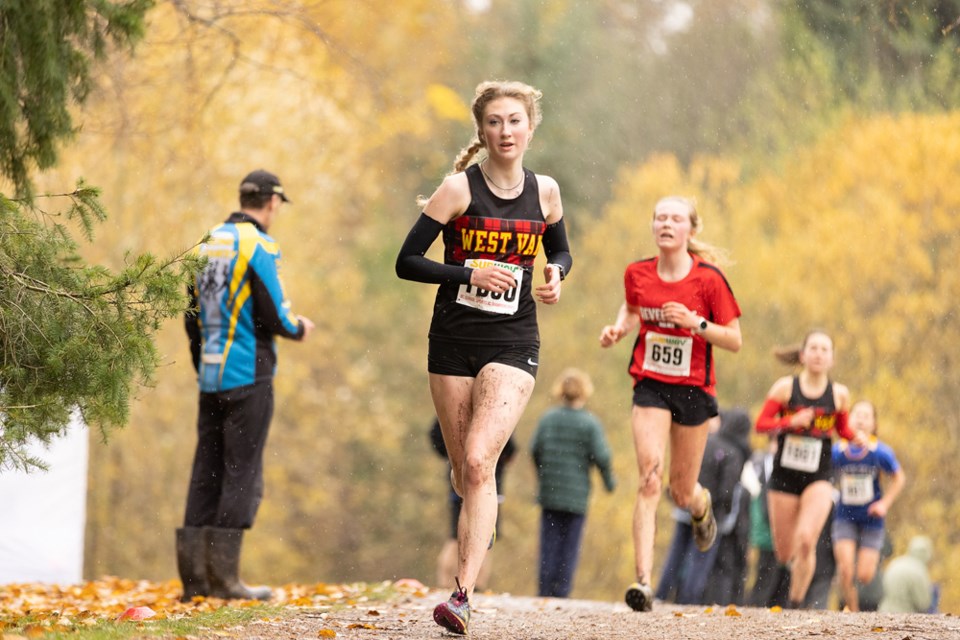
804,411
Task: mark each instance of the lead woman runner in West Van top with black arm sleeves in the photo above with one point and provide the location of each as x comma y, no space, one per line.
483,349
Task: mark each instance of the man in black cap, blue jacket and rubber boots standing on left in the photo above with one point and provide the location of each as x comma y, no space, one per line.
239,307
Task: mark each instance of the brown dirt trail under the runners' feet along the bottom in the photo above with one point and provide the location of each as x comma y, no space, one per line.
409,617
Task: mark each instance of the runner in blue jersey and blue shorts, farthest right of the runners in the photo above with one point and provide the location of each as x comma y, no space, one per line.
858,523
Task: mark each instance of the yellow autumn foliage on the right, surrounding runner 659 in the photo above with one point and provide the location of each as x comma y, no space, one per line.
858,234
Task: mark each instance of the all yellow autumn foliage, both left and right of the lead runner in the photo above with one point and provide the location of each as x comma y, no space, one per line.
857,233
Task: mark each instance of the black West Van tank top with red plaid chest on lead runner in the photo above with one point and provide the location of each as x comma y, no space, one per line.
492,229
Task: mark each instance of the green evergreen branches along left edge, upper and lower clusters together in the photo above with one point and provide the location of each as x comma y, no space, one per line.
74,336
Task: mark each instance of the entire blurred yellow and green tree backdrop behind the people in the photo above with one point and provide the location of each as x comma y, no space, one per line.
823,163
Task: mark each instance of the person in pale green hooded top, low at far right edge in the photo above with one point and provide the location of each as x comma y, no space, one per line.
906,582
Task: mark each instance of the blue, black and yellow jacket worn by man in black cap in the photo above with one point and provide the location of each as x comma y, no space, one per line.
238,307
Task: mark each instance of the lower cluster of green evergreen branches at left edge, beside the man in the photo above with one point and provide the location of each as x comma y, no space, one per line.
73,336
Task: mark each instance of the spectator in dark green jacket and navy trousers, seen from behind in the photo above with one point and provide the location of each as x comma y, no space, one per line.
569,440
